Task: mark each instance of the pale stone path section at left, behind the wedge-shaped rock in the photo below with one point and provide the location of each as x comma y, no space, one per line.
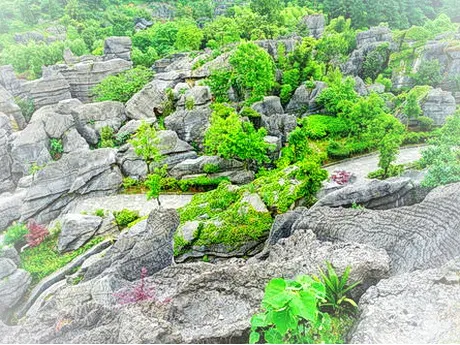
136,202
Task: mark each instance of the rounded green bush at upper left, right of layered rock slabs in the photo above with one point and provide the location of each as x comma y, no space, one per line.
123,86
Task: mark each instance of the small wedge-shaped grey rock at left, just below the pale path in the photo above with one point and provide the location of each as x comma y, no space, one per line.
77,229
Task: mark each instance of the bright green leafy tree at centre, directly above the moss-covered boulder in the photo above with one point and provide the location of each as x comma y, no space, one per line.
231,138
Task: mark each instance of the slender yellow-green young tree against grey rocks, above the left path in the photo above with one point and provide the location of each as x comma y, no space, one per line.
146,145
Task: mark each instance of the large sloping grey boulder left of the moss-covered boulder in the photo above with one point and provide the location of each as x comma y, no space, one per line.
149,244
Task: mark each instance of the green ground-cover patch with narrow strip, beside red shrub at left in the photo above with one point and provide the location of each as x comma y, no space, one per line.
44,259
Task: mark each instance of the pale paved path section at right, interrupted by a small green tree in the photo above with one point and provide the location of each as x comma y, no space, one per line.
361,167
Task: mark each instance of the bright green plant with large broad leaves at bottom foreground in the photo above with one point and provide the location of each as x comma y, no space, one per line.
291,313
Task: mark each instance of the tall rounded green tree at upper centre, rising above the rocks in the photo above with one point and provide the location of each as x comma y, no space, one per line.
253,71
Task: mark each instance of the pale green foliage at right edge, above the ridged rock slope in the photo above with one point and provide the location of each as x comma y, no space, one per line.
442,157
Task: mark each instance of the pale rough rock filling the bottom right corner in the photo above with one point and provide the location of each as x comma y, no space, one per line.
419,307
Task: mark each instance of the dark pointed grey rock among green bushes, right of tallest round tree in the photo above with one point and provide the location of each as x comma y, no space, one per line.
304,100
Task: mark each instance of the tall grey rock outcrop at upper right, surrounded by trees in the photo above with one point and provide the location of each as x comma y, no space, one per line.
367,42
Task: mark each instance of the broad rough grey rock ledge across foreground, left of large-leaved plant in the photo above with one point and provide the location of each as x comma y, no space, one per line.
195,303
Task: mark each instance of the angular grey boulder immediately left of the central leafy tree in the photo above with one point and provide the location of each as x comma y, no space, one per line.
190,125
